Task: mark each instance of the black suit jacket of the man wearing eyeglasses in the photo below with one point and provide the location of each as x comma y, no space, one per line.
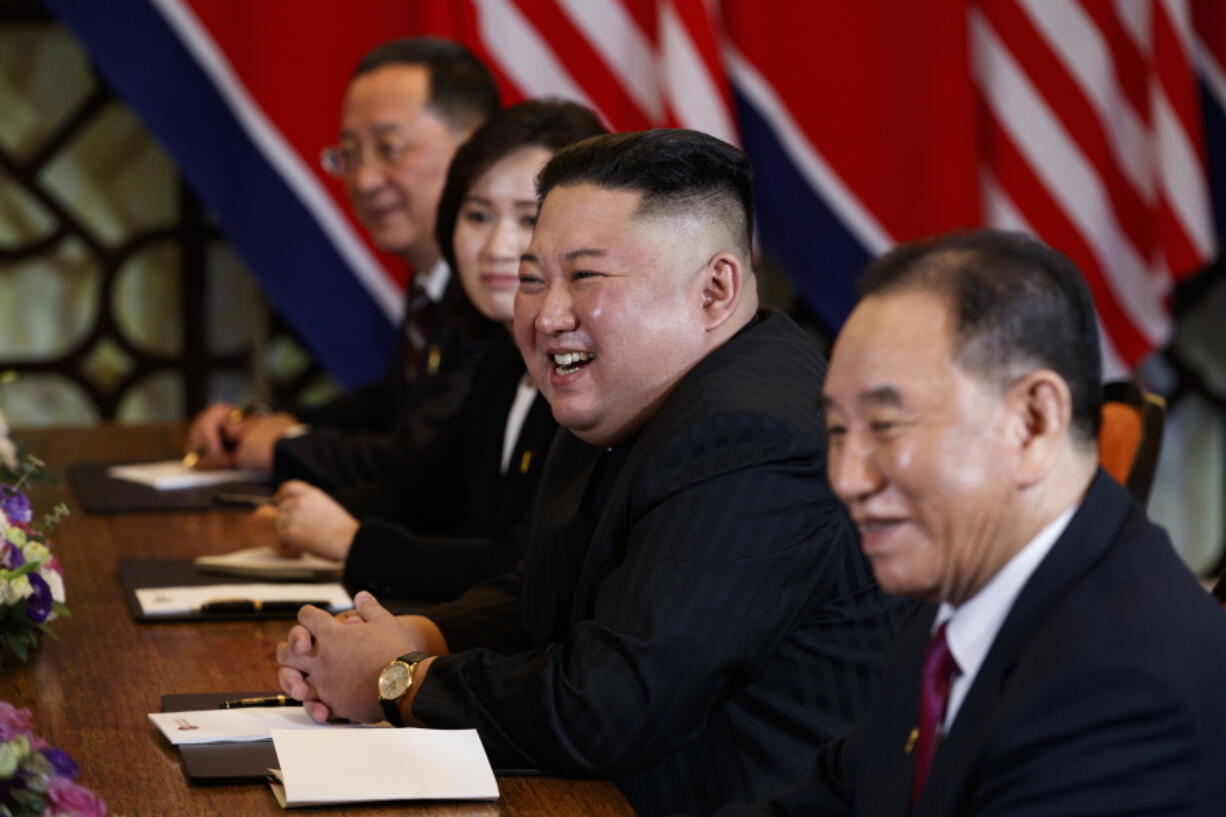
355,437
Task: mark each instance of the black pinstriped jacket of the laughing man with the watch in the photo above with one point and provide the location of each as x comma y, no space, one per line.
709,629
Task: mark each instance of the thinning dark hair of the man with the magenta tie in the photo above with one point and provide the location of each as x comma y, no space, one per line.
1016,301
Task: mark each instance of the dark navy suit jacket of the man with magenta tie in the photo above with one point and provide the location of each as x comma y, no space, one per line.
1104,694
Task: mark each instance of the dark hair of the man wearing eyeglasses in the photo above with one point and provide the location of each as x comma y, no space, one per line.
463,93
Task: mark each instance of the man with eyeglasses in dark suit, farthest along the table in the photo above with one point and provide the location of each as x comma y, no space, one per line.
410,105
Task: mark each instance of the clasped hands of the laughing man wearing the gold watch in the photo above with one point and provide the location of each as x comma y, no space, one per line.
333,667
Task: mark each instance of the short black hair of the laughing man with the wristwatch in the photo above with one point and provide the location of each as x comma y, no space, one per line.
671,169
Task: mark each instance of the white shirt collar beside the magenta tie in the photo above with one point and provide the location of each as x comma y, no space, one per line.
974,626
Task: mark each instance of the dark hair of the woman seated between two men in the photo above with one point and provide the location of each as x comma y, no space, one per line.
538,123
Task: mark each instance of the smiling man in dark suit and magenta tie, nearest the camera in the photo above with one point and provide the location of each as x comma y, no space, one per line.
1068,663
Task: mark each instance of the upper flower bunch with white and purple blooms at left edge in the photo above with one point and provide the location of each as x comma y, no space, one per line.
31,580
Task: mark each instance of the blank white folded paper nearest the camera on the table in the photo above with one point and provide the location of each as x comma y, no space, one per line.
381,765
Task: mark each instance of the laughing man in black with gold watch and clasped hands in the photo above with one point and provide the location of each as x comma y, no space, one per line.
695,615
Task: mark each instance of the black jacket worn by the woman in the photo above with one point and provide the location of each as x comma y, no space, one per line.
447,517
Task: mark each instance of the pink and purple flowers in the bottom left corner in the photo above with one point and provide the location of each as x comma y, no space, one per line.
36,780
